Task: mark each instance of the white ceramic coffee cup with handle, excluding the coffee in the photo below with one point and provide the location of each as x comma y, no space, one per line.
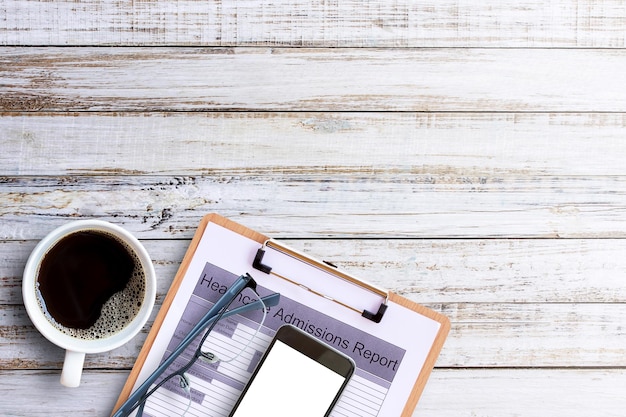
76,348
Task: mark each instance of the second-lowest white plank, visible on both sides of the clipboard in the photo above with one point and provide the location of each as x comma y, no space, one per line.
500,335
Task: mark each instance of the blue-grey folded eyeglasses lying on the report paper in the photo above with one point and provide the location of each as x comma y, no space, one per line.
179,376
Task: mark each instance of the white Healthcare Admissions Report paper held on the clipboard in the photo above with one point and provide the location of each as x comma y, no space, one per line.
389,356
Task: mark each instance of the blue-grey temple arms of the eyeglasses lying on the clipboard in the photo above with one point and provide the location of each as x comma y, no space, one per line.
243,281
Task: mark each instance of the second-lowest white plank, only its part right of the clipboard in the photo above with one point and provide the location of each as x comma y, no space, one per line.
535,335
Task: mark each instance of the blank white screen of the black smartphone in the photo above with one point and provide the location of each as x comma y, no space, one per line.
290,384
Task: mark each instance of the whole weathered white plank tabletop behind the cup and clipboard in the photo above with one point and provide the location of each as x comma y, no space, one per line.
467,155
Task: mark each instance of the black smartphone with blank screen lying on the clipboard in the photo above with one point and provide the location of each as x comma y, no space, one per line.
297,376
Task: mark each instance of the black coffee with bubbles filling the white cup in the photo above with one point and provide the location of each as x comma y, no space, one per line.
90,284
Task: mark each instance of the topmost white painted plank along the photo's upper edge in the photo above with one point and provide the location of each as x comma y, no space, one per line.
352,23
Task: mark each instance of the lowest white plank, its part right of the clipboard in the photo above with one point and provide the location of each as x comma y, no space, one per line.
523,393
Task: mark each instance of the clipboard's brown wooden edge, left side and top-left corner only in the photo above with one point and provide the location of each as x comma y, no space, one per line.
173,290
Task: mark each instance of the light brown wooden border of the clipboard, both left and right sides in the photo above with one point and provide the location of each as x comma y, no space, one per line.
420,383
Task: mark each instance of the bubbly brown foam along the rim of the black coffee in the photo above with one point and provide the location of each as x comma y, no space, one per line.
117,312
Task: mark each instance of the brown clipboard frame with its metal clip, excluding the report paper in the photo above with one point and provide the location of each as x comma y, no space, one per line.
374,311
